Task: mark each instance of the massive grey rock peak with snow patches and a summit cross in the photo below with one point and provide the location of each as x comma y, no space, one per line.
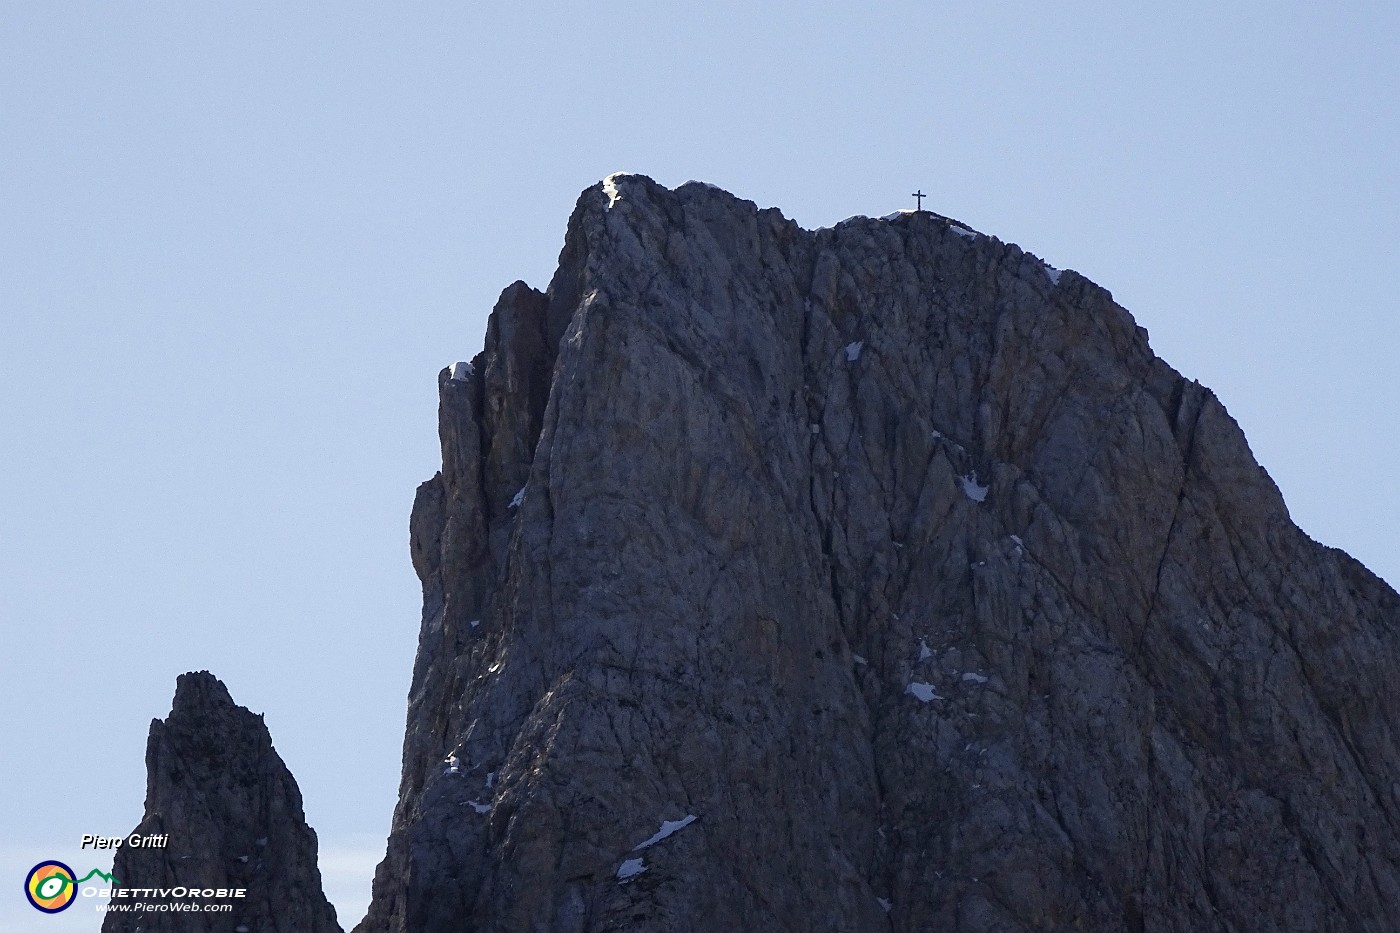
870,578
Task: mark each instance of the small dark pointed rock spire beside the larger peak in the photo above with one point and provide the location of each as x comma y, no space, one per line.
232,816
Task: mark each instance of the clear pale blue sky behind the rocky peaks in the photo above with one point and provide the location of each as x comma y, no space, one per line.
237,246
